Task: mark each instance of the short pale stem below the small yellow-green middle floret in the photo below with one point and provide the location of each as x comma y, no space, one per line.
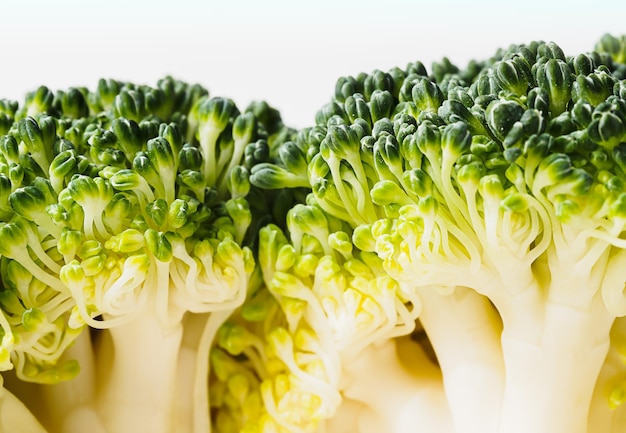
400,366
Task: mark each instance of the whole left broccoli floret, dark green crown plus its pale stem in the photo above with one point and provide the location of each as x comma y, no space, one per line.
125,211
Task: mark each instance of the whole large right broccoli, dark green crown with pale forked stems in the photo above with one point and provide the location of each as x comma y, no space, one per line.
495,197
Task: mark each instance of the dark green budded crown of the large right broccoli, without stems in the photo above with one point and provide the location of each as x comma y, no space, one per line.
506,177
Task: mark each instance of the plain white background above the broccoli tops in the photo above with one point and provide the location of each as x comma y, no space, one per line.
287,52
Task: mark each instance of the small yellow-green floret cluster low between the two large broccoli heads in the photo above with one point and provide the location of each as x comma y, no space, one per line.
322,302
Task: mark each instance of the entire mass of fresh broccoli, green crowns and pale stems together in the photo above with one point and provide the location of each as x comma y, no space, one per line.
439,251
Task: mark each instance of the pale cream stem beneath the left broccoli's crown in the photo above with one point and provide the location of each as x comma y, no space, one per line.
137,391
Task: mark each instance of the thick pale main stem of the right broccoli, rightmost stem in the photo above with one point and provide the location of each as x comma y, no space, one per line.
550,380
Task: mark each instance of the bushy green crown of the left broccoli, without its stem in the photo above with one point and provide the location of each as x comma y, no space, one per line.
123,199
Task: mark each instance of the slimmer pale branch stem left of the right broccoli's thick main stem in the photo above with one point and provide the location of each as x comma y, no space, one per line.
464,330
